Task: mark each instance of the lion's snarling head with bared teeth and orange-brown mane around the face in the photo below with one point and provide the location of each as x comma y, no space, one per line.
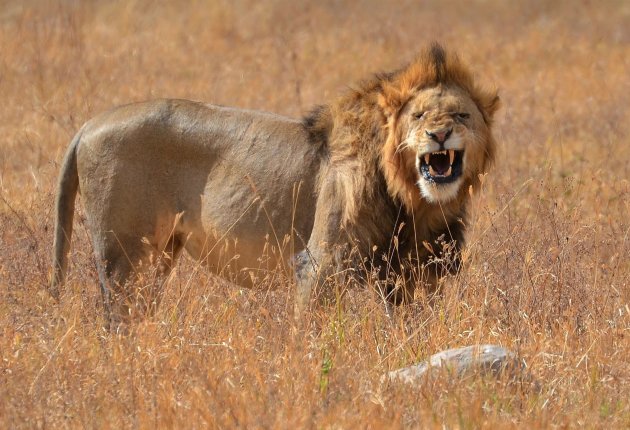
438,122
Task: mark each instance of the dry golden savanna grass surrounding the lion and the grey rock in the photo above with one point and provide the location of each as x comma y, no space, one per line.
547,267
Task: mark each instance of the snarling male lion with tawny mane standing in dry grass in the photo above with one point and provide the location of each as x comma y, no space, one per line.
374,179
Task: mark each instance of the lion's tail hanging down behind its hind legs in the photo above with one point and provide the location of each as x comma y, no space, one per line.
67,187
